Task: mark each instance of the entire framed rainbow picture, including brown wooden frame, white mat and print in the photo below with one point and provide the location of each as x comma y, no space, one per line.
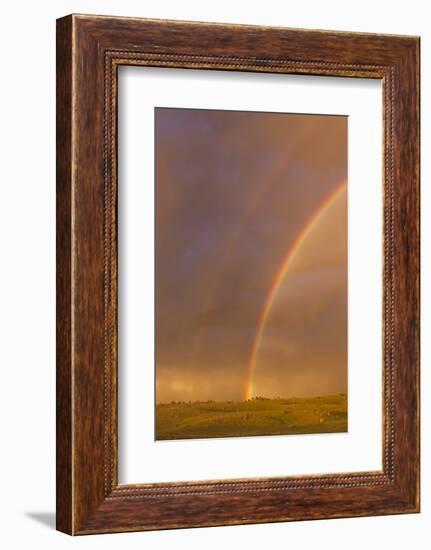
237,274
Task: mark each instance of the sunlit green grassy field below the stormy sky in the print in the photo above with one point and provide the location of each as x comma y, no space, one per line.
257,416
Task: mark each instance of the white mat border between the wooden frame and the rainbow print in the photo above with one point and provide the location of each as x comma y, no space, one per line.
141,458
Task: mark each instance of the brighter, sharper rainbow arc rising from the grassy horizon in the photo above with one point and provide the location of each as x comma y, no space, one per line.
280,276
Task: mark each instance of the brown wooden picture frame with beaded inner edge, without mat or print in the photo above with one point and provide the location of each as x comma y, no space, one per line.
89,51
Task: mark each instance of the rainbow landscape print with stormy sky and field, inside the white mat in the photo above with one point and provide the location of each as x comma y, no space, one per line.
251,273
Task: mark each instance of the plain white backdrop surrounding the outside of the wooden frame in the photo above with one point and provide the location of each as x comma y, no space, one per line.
27,240
